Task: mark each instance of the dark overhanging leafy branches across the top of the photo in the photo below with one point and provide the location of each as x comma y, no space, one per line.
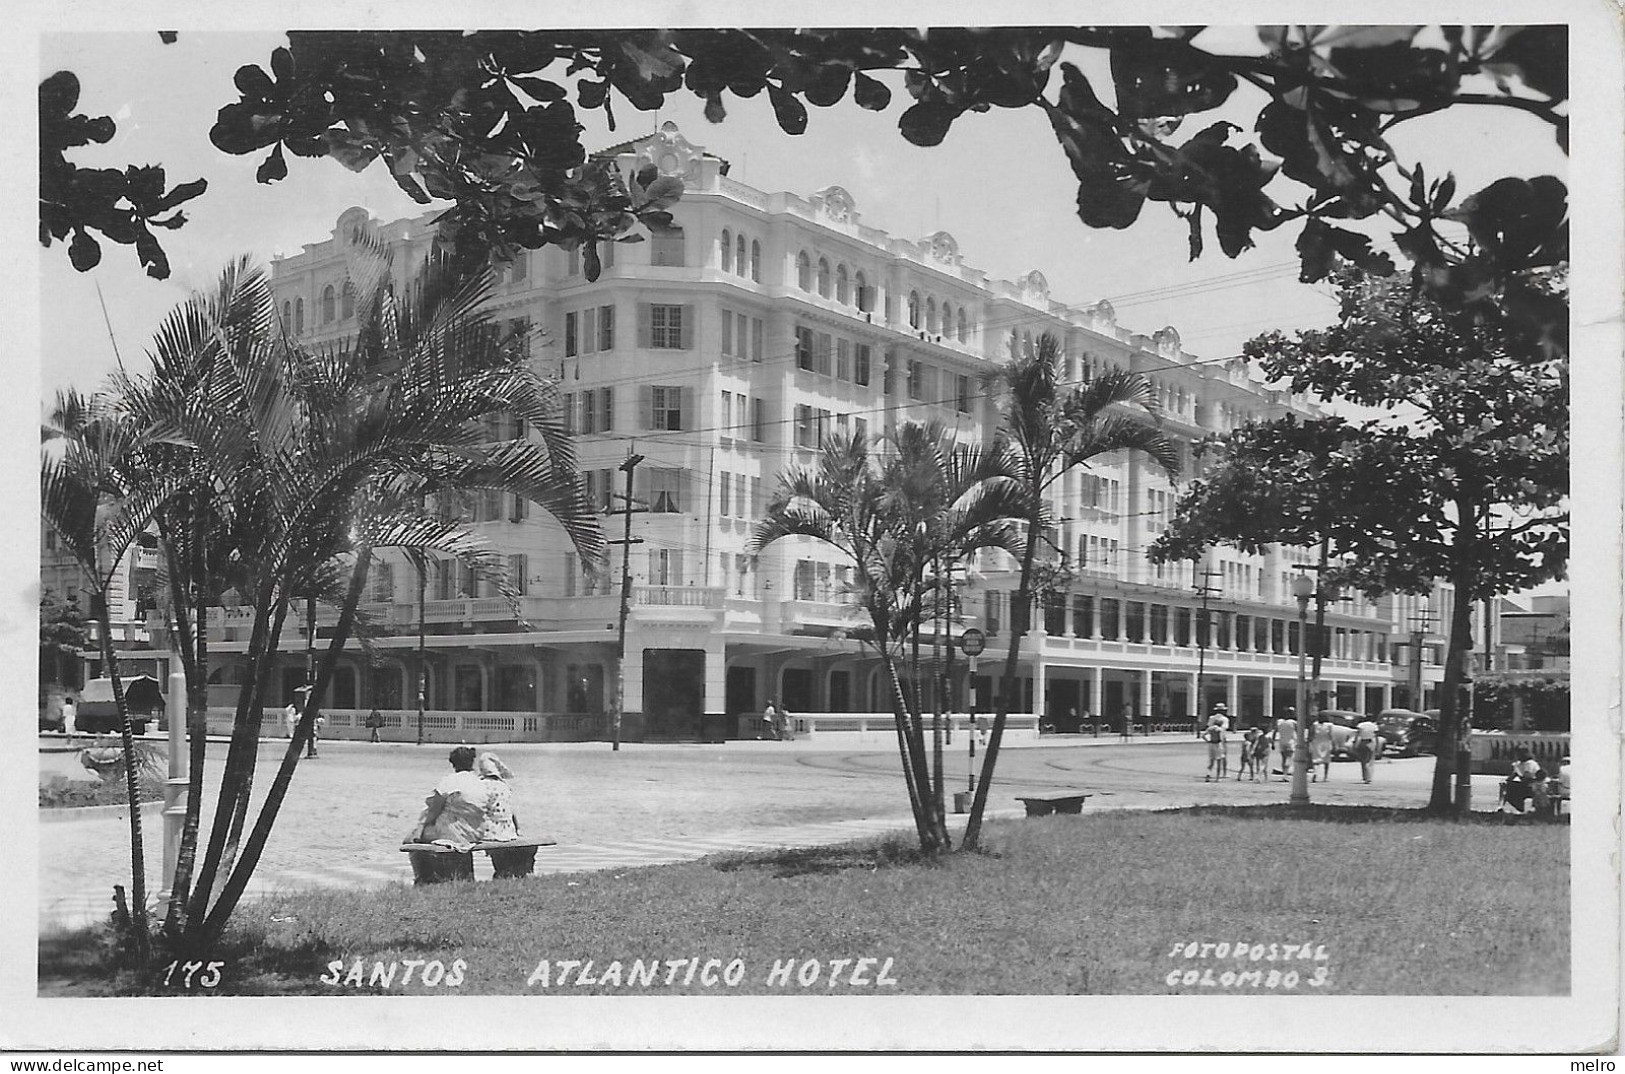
490,123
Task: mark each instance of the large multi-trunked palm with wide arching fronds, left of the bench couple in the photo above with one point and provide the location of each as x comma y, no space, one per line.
303,466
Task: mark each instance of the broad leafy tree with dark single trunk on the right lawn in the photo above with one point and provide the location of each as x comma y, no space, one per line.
1463,479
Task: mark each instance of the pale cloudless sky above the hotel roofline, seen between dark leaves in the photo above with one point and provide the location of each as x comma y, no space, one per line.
1000,184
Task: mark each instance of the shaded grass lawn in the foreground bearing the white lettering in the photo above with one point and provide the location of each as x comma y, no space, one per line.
1384,903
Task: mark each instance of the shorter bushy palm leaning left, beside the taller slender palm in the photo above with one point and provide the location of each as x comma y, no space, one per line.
895,514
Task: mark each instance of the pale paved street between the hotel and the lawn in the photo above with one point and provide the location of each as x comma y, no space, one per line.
649,805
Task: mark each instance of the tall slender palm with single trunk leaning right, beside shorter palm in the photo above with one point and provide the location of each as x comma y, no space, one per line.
1046,431
